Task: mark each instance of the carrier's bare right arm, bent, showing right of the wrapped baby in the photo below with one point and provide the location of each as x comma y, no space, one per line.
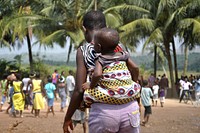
133,68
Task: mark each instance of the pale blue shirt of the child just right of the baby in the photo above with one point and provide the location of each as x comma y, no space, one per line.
146,94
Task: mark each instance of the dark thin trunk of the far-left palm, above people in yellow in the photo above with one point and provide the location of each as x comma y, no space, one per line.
30,52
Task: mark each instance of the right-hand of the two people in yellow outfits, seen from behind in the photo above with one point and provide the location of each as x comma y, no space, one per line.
38,93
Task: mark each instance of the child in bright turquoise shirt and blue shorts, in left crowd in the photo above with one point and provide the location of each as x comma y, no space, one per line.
50,92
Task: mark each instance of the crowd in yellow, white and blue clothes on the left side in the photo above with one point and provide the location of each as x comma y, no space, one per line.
28,90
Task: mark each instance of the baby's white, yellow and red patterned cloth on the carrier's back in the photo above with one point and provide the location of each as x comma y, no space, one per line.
116,85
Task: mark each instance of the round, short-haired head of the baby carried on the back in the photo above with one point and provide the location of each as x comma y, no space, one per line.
106,40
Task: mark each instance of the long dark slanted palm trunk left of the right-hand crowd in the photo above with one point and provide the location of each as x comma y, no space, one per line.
167,48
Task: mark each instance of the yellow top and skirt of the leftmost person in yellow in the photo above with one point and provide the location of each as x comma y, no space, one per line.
18,100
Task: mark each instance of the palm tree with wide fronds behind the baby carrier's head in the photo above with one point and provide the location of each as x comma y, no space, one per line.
64,19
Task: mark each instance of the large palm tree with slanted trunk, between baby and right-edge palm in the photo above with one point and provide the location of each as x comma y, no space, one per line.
160,27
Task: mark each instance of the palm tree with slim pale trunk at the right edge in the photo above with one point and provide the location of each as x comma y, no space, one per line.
189,28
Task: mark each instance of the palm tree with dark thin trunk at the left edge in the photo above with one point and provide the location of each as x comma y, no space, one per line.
17,26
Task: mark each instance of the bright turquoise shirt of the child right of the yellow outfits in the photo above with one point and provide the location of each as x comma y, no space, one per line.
50,88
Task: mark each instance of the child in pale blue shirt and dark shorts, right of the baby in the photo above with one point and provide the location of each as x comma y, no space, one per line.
146,94
